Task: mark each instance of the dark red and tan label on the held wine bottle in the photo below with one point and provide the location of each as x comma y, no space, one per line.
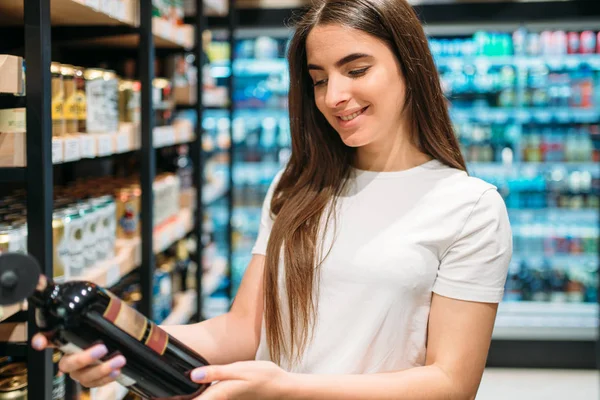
136,325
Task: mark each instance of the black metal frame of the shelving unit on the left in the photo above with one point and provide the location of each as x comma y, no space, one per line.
38,176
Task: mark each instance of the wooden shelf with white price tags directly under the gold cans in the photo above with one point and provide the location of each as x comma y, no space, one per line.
69,148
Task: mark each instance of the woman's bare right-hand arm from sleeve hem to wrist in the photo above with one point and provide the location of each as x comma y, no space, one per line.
459,336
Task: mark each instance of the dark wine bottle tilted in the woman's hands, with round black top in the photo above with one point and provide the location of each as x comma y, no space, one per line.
76,315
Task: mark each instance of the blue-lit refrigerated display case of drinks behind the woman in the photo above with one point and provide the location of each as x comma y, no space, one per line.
525,104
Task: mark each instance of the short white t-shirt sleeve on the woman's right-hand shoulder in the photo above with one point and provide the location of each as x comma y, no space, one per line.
475,266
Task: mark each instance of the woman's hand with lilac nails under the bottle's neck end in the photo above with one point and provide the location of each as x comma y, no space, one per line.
86,367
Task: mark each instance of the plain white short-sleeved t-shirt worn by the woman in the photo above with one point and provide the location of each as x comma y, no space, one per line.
400,236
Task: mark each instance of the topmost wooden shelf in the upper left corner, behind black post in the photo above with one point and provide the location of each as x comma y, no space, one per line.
75,12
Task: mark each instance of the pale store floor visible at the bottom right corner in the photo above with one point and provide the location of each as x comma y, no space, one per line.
535,384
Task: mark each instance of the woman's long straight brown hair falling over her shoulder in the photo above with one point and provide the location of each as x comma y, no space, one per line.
320,162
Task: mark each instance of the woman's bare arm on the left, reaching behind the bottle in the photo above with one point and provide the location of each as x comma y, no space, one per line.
235,335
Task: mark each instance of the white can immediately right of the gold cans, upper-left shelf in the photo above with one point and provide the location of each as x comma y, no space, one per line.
94,93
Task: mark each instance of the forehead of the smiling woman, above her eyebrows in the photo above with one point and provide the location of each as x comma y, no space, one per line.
326,44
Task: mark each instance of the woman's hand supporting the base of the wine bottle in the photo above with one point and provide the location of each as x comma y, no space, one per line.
247,380
